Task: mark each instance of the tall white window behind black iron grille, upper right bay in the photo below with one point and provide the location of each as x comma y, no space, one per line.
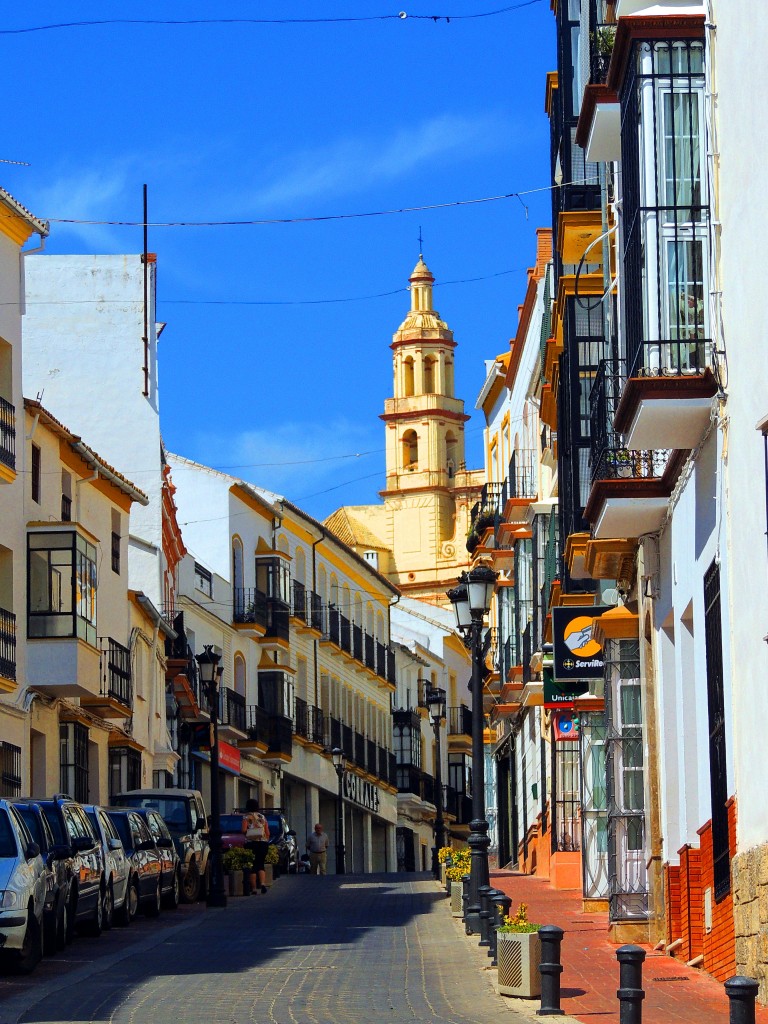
666,209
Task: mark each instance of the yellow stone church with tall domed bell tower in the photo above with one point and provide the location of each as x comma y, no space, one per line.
417,536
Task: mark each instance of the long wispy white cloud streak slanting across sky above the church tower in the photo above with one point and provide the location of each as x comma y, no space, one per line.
355,164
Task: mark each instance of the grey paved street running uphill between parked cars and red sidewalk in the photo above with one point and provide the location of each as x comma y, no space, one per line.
314,951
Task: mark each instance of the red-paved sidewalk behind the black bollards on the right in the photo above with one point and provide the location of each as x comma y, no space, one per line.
674,993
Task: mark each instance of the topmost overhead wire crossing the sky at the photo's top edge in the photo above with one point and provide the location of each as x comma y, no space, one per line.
180,22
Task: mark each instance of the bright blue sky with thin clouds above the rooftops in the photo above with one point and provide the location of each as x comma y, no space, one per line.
238,122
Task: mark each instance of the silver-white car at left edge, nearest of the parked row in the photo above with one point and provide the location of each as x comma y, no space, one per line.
23,881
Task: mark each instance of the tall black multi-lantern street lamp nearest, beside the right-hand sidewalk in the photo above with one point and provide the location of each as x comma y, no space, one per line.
472,601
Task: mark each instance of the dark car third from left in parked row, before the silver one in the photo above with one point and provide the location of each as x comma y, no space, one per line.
73,834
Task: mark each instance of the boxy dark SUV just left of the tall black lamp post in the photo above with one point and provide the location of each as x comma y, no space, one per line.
185,815
